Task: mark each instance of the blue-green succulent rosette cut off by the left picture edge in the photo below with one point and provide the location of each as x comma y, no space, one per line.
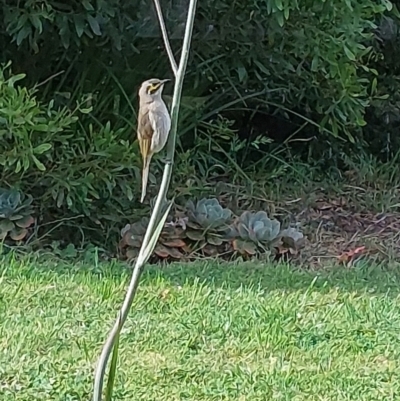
15,214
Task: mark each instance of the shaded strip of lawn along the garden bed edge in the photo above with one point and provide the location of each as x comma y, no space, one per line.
259,276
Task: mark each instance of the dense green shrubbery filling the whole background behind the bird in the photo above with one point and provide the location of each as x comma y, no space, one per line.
262,74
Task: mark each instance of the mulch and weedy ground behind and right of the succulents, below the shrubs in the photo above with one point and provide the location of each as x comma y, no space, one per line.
340,226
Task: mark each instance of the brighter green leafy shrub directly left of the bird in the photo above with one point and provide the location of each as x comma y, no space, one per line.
46,151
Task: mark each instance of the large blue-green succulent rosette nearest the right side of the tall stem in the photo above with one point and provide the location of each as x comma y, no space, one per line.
208,225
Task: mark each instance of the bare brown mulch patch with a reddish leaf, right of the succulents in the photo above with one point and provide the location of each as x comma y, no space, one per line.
338,229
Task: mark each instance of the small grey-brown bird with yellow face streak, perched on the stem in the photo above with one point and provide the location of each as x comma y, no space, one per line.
154,124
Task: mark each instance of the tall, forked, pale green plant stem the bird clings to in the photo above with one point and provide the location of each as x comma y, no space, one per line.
152,233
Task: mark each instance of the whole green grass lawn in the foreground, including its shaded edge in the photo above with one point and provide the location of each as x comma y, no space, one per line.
201,332
